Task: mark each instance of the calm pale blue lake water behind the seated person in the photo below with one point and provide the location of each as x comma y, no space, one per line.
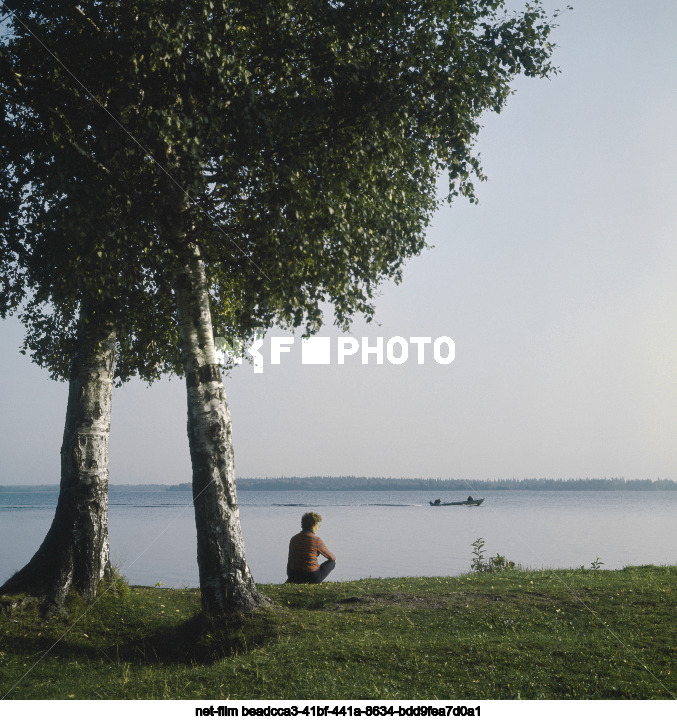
372,533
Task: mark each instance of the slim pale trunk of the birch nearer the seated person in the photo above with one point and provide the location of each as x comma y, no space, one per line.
226,583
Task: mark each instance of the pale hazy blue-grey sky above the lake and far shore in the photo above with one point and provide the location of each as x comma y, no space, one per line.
558,291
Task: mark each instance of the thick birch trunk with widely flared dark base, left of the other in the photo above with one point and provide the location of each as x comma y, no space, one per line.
75,551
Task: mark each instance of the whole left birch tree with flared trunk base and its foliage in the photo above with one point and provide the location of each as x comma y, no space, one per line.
61,266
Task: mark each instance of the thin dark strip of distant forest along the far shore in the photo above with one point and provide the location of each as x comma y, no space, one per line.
358,483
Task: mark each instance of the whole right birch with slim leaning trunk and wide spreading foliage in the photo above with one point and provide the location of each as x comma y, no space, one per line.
275,157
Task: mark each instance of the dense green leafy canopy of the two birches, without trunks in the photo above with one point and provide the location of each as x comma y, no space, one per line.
301,140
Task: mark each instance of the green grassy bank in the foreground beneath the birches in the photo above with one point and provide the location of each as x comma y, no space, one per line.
571,634
